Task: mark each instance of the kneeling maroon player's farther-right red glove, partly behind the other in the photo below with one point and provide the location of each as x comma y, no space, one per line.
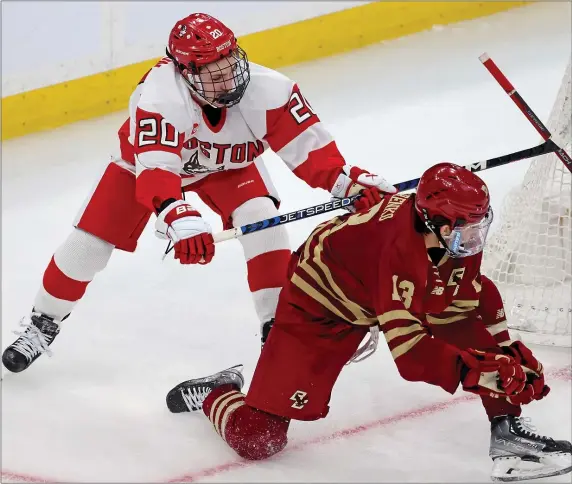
536,388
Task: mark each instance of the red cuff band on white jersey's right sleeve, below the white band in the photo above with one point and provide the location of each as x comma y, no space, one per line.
322,167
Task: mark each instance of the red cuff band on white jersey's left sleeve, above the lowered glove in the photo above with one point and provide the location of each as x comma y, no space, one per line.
155,186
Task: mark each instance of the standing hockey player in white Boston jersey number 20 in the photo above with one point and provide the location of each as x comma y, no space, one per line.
198,121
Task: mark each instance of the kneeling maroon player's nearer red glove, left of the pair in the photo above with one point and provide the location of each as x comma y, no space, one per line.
490,374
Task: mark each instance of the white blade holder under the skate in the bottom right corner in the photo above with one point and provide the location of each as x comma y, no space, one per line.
516,469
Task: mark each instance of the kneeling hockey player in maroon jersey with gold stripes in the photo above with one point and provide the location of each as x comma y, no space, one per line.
410,267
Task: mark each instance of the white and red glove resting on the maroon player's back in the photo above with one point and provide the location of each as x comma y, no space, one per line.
354,180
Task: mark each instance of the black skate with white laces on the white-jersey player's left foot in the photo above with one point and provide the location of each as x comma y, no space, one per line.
40,331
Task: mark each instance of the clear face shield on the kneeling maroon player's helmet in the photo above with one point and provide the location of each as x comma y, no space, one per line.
465,239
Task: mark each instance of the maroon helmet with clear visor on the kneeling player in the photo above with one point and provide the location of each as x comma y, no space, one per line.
449,194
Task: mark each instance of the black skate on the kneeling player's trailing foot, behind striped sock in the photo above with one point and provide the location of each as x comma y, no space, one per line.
189,395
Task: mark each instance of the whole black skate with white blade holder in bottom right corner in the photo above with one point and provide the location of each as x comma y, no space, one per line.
519,454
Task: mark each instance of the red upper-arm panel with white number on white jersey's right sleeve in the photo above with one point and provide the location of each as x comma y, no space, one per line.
285,123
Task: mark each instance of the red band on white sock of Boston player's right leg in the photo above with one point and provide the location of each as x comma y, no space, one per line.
268,269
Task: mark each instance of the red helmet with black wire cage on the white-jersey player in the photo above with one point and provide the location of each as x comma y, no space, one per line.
205,51
